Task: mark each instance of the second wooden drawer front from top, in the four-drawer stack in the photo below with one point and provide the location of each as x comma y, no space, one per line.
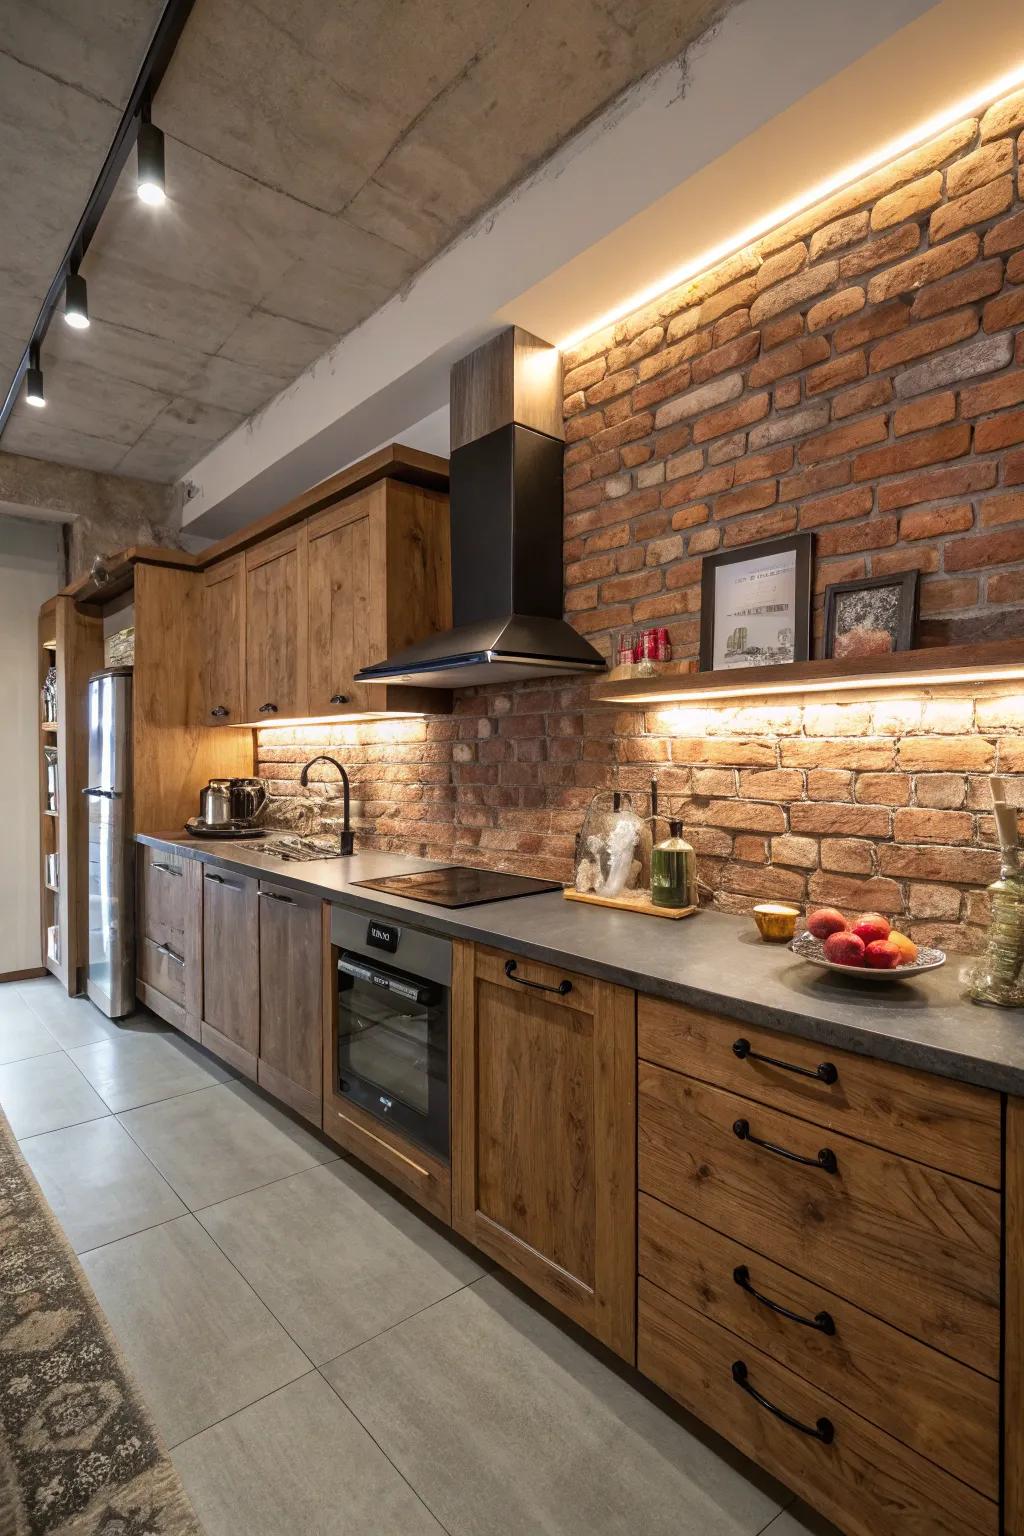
908,1243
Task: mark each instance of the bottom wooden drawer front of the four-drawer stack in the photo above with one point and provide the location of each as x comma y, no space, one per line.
865,1481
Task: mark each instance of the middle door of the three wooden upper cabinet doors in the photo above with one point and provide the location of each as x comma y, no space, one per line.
276,627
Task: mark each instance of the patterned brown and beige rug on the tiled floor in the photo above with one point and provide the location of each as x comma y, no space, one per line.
79,1455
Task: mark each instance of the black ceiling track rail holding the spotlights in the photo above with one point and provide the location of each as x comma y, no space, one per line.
159,56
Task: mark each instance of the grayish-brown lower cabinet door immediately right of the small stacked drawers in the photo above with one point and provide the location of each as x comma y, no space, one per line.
231,968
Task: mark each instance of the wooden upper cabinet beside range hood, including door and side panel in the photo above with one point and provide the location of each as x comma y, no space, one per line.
380,578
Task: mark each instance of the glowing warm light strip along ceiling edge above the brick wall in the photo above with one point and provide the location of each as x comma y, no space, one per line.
925,131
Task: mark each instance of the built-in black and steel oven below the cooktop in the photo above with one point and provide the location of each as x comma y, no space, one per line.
392,1059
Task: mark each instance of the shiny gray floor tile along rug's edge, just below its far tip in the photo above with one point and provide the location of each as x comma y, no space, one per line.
99,1183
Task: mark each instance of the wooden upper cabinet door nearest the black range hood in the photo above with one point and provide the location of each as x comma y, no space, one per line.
342,614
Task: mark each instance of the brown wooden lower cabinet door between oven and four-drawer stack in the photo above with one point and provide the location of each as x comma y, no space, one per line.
544,1133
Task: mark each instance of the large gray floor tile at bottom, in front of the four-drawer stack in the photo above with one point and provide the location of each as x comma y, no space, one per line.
503,1423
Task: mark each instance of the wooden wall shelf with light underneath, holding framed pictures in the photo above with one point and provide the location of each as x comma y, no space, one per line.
939,667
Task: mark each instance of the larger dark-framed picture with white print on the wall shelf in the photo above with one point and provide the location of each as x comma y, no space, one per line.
756,604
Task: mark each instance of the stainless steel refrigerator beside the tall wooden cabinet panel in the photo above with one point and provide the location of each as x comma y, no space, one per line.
111,967
